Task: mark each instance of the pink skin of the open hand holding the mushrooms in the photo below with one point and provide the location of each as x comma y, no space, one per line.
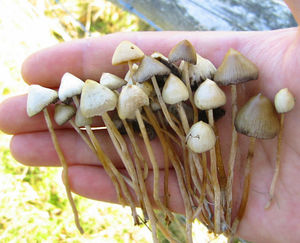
274,52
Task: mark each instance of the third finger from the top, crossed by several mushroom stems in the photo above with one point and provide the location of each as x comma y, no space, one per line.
36,149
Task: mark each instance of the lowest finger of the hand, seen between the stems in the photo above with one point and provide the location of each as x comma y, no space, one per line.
93,182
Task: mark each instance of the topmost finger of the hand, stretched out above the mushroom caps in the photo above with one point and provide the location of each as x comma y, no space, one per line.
88,58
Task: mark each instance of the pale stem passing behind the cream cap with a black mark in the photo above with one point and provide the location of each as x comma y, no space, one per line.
215,182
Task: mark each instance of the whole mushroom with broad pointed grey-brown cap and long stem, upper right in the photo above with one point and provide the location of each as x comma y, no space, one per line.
235,69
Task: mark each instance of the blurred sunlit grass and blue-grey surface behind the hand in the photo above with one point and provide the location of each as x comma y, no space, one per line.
33,205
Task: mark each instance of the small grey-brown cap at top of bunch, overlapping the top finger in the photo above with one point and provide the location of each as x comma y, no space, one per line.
184,50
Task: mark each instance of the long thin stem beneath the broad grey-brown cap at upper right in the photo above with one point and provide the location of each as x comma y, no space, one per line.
232,156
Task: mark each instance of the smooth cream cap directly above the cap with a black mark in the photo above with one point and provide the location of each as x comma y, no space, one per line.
209,96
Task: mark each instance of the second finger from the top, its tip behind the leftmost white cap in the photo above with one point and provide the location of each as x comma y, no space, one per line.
14,118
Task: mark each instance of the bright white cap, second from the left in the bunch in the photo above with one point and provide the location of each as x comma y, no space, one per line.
70,86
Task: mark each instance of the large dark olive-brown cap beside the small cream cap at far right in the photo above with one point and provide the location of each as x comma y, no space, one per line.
258,118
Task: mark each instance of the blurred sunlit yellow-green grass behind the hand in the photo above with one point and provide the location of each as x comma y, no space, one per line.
33,205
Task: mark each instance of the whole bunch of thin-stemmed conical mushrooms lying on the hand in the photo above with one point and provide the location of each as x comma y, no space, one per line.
177,101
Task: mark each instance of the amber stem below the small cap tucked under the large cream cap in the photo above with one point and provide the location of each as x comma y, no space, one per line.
114,174
